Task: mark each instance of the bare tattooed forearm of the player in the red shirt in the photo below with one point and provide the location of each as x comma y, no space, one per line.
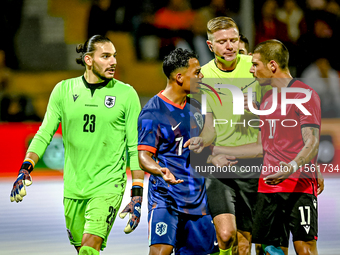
310,136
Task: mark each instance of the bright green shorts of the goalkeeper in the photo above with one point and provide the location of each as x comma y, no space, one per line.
91,216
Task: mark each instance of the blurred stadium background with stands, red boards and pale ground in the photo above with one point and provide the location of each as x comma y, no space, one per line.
37,50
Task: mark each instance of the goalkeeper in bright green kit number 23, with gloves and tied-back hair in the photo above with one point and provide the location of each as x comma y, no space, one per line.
99,117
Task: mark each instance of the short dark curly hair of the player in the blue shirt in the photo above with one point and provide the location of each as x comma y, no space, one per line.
177,58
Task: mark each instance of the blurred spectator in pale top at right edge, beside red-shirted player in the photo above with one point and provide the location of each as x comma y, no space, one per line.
325,81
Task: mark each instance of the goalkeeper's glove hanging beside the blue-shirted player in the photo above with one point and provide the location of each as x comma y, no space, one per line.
134,208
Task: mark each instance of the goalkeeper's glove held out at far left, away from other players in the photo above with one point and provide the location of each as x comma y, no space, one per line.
24,179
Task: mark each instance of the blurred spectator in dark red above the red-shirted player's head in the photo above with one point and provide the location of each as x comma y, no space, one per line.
269,27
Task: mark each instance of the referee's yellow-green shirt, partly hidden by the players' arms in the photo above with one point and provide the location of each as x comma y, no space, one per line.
232,130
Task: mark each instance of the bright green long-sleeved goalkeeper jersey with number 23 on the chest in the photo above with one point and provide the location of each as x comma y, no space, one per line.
99,126
